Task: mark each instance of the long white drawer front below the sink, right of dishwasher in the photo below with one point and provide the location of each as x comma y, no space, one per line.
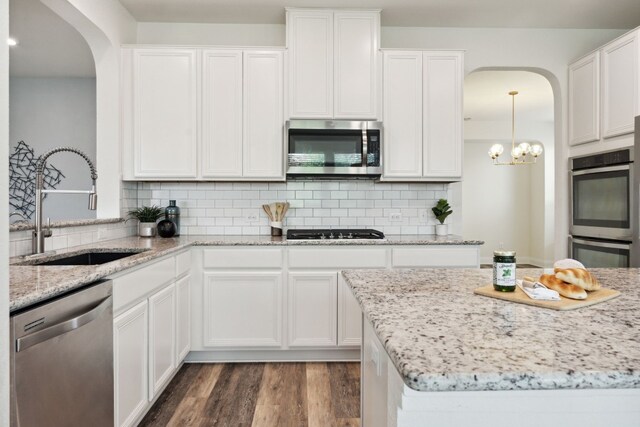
136,284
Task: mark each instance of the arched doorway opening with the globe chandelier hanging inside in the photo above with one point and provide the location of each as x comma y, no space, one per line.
509,207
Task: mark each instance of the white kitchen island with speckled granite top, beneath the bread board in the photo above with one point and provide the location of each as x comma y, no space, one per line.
436,354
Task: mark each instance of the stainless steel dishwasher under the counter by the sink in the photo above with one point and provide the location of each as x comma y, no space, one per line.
62,361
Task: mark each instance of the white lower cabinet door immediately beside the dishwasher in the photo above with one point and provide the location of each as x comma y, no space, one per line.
130,364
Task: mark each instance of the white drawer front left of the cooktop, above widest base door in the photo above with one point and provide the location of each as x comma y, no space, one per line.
259,257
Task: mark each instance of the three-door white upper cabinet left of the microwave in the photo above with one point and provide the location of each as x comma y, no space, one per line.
202,114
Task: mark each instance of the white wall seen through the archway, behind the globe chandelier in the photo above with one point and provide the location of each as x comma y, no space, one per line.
536,241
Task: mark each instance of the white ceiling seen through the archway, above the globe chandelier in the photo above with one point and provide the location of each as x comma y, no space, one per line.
486,96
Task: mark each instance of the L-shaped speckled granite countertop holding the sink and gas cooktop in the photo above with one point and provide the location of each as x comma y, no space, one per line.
29,284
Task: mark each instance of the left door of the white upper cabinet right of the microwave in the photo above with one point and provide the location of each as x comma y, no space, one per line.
402,85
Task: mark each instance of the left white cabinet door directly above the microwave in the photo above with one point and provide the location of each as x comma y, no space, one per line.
310,44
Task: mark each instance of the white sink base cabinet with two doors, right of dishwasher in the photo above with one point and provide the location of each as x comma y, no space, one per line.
151,332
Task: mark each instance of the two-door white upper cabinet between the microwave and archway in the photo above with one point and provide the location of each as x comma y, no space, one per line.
423,115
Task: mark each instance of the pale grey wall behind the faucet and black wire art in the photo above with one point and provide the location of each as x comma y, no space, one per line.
57,112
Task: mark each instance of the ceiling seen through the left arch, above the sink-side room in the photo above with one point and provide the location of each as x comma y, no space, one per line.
47,45
